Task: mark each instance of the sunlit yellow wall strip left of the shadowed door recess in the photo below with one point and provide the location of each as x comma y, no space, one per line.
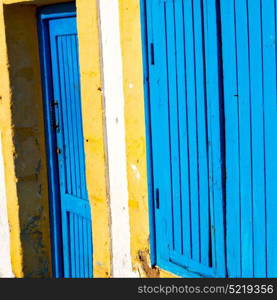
8,152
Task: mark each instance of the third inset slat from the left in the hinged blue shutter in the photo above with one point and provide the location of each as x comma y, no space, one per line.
192,128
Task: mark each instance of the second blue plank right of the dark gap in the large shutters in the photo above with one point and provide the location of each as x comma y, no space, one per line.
245,142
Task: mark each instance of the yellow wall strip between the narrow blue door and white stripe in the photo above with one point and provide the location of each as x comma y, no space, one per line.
94,133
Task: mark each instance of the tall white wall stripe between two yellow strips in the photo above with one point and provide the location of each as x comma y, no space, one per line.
116,144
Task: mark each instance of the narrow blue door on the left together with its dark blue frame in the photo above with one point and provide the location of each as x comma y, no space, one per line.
65,140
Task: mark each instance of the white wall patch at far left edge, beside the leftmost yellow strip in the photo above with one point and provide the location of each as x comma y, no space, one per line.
5,259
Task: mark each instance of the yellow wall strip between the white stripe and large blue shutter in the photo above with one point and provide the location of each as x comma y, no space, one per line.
130,26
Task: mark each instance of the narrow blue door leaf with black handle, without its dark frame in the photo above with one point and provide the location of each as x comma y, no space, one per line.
75,208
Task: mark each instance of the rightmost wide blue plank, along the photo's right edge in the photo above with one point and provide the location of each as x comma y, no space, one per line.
270,121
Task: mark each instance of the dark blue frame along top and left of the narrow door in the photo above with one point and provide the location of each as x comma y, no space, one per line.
46,13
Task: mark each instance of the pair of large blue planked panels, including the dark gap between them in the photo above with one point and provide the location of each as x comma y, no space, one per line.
213,114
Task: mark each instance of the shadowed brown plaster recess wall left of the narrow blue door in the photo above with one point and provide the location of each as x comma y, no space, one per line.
28,138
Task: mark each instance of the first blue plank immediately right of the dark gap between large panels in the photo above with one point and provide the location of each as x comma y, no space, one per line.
232,138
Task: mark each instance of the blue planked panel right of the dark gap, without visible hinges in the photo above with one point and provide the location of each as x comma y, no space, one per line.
250,93
